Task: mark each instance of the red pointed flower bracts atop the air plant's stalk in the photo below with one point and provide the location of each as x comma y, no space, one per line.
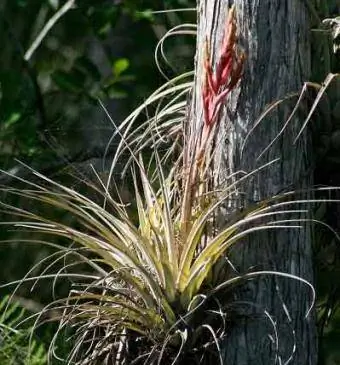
228,72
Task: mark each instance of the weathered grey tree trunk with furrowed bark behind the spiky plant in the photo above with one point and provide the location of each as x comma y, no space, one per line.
275,37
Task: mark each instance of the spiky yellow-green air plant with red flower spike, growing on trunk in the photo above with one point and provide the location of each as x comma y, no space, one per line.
156,292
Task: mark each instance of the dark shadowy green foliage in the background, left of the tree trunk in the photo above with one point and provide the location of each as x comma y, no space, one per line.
50,116
